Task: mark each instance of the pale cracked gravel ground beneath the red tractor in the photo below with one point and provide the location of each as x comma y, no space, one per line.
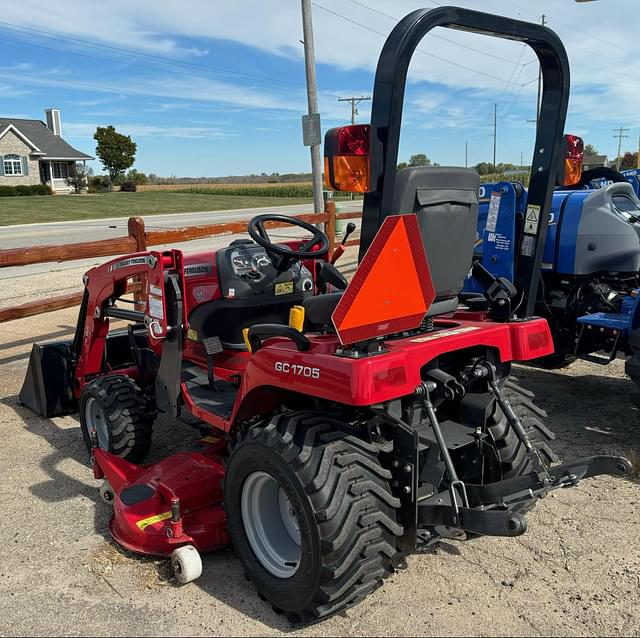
575,572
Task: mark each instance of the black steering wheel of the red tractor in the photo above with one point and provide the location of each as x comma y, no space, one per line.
287,255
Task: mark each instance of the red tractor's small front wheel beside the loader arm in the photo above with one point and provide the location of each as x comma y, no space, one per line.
121,415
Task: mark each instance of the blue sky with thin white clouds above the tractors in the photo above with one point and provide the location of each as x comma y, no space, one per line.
212,87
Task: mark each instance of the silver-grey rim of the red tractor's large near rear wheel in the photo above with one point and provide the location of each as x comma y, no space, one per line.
271,525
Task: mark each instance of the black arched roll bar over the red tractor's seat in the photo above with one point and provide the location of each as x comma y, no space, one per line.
386,117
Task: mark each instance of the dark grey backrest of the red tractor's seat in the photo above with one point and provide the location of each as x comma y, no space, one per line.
445,200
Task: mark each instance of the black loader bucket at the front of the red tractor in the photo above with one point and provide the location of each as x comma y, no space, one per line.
47,386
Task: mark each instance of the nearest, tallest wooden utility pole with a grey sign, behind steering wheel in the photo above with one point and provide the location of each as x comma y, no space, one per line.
312,98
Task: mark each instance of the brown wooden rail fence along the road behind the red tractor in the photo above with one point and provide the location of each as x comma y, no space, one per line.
138,239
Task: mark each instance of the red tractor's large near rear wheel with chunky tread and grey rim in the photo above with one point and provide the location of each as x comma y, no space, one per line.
310,514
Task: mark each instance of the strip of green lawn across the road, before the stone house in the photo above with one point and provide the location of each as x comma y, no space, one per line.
27,210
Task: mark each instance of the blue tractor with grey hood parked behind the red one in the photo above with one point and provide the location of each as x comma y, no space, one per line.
589,273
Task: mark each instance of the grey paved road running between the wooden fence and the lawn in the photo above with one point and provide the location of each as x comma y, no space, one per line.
94,229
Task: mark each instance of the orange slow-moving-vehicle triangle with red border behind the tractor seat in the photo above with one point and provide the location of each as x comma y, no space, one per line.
392,288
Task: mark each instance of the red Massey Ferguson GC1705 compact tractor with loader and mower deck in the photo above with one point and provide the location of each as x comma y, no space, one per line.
349,424
